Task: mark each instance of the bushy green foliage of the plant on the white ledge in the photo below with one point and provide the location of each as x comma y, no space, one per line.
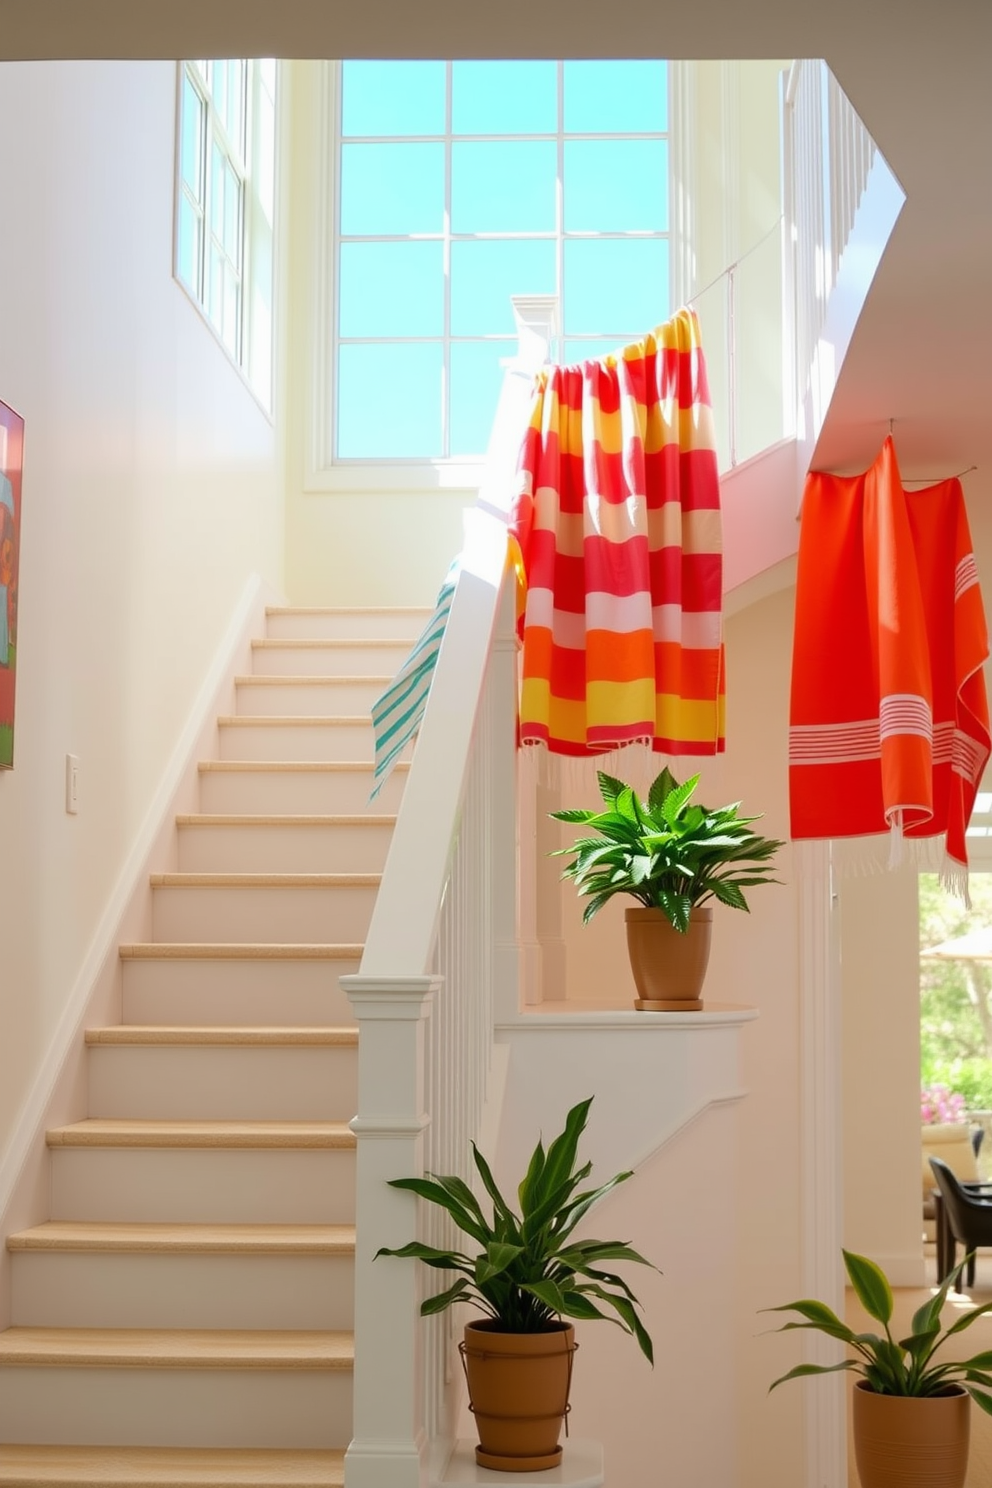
667,852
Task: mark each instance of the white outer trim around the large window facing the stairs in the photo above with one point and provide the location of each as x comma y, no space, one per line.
323,471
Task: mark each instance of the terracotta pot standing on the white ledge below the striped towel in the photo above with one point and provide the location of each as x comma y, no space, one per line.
669,968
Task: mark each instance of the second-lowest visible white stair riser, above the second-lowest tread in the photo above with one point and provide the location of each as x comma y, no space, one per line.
59,1289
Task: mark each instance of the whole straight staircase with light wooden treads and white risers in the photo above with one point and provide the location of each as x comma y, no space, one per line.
185,1315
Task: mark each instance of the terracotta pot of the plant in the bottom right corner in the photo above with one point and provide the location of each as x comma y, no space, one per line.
901,1441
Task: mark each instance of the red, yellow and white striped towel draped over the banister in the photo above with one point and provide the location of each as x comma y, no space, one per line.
618,520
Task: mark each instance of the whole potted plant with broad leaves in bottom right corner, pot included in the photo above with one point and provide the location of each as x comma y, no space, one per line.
911,1408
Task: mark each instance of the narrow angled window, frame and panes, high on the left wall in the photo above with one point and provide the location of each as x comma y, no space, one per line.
227,205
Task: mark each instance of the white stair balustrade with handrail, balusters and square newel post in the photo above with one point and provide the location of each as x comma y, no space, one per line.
441,955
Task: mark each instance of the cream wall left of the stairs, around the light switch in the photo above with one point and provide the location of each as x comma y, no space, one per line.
151,493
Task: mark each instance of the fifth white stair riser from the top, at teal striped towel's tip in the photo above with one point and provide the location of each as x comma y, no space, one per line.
267,792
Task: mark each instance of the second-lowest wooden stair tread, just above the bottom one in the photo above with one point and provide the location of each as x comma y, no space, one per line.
175,1349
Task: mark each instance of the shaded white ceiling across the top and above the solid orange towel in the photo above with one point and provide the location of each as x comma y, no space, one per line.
918,72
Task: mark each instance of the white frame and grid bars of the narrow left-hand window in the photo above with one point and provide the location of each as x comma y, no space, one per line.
254,334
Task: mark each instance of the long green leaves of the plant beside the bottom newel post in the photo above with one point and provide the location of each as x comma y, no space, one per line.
530,1270
